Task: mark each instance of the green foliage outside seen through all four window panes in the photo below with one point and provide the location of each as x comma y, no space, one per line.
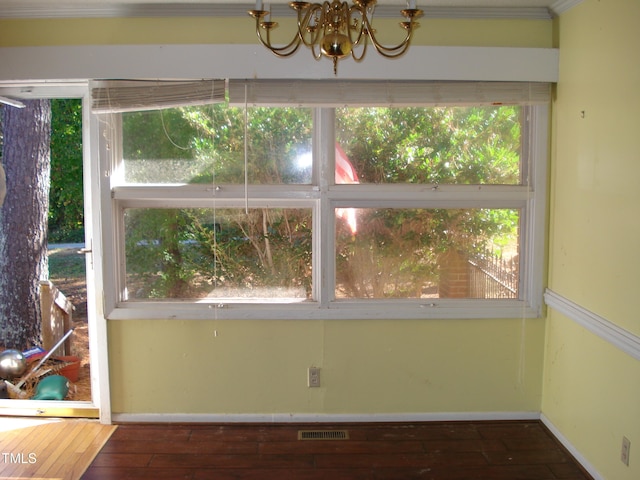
187,253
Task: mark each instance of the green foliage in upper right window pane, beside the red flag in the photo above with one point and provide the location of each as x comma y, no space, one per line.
436,145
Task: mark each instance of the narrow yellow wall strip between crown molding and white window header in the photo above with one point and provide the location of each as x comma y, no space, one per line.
193,30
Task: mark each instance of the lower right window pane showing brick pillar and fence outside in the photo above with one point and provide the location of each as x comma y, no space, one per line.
421,253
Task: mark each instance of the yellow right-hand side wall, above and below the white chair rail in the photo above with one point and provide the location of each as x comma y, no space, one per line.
591,389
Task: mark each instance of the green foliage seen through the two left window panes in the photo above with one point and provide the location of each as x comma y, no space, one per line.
178,253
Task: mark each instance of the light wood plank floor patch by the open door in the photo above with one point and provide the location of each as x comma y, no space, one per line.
36,448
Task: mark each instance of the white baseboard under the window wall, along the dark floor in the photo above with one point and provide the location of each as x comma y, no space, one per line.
319,417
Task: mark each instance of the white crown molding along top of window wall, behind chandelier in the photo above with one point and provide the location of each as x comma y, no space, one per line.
149,10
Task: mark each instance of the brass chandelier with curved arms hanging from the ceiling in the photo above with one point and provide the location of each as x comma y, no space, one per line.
334,29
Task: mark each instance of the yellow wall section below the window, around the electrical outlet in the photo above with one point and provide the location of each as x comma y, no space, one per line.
368,367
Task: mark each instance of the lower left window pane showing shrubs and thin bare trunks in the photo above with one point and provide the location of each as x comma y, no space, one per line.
222,253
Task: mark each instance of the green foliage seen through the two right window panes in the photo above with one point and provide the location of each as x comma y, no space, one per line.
396,252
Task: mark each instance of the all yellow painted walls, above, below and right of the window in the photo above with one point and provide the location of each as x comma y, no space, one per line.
590,389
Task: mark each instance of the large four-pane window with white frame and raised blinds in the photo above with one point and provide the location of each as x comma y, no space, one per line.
288,201
